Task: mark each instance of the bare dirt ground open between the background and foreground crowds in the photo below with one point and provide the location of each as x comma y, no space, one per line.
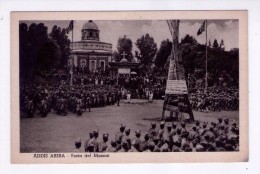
57,133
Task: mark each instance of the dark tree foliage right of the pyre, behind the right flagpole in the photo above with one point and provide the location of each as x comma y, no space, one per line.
220,62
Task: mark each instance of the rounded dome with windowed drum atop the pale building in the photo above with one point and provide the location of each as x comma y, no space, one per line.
90,31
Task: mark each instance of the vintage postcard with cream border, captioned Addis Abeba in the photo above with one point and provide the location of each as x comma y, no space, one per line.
129,87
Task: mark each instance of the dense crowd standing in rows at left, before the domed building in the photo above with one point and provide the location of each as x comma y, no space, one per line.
61,99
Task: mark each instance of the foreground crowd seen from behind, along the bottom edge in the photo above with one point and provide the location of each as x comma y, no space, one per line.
201,137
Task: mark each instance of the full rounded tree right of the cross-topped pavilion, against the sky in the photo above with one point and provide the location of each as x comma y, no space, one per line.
147,49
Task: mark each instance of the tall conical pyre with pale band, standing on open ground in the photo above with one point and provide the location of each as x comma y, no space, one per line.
176,94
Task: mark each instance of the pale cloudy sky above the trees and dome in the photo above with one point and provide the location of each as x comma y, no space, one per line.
110,30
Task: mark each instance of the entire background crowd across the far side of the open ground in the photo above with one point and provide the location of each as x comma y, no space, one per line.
98,90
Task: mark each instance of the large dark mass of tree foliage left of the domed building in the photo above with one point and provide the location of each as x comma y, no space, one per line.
40,51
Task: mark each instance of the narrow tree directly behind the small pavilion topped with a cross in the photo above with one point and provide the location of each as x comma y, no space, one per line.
124,45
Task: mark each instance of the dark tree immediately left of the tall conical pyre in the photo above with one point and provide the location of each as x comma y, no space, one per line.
163,53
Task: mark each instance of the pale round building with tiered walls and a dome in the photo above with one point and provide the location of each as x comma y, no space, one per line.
90,52
